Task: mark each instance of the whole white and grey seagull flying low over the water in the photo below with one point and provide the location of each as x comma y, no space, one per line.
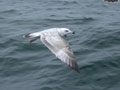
53,40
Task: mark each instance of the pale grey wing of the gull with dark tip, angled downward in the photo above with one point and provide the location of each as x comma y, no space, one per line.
61,49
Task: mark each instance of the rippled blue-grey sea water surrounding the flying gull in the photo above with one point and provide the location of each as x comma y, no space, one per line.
31,66
